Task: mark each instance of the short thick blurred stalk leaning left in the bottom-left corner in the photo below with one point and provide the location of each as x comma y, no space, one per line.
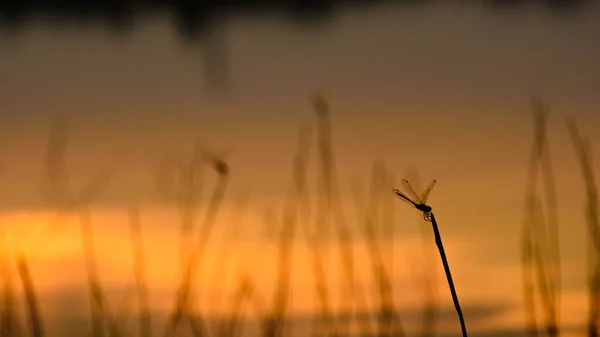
33,309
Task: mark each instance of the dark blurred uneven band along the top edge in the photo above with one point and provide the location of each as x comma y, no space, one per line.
195,17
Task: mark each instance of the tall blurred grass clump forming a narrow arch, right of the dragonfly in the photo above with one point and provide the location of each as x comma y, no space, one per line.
540,245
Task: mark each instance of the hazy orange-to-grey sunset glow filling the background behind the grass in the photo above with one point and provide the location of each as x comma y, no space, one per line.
433,91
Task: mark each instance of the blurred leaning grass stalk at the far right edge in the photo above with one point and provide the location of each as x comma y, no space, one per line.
584,155
